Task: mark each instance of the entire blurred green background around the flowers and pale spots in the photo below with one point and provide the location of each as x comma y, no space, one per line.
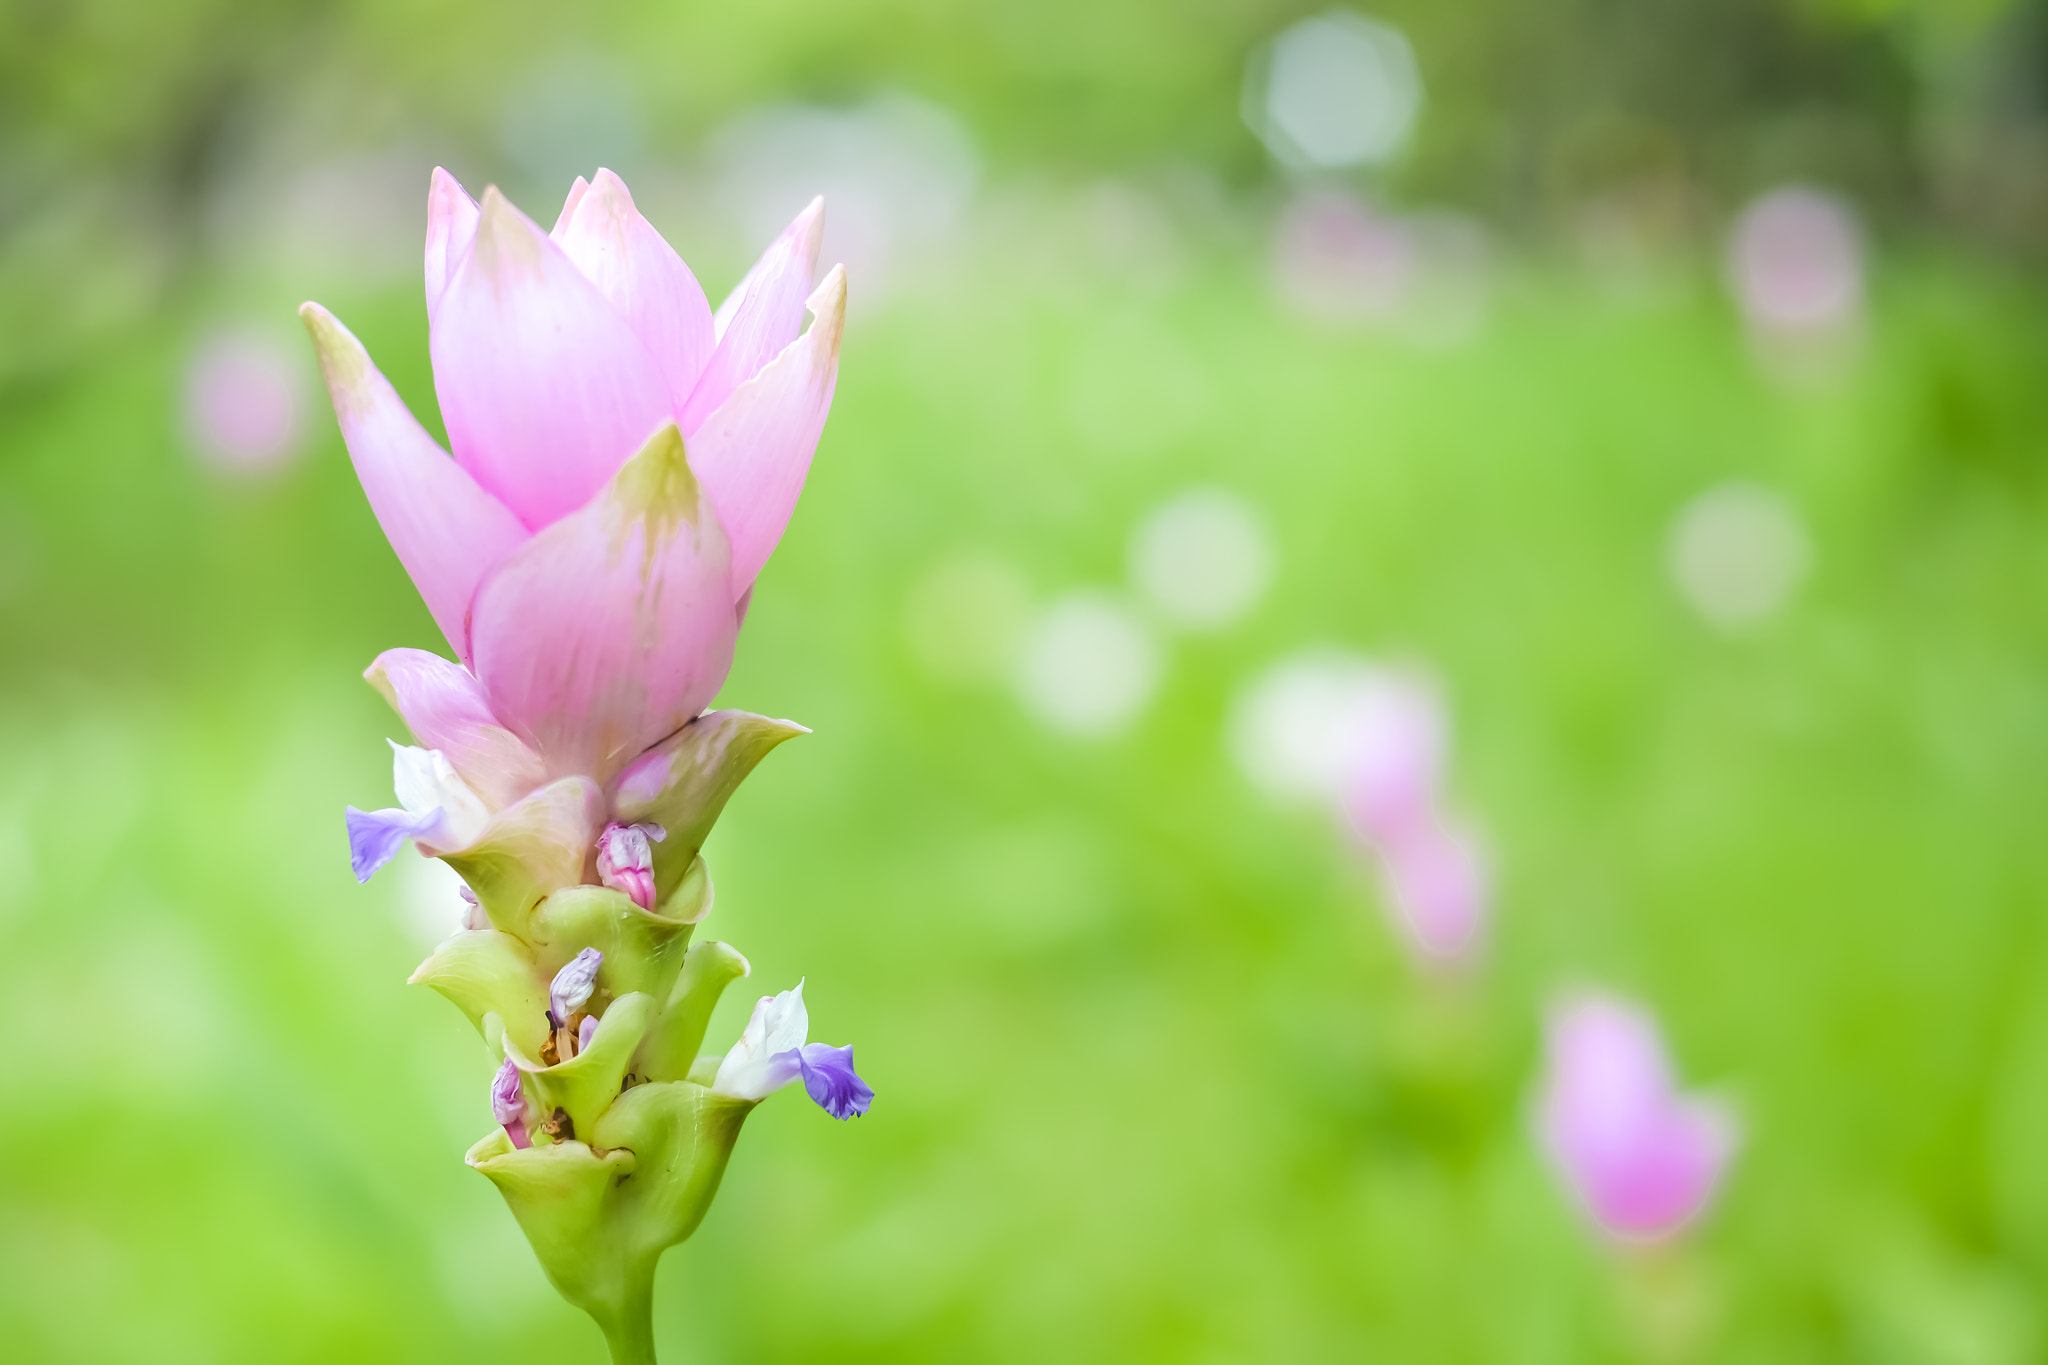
1156,1080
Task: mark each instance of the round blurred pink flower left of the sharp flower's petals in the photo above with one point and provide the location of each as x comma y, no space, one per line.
245,404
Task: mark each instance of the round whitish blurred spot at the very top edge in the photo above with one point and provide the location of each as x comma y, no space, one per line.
1334,91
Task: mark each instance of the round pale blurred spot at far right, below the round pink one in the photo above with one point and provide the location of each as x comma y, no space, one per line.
1738,552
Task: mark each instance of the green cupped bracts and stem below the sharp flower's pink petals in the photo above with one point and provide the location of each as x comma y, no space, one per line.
628,1149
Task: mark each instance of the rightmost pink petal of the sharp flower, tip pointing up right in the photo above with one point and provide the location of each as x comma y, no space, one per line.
755,453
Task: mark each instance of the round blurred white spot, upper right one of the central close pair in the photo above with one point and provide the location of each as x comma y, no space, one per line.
1203,560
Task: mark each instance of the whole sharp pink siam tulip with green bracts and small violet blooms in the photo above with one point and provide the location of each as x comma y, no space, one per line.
624,466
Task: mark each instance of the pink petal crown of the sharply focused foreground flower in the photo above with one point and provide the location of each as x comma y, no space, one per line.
626,464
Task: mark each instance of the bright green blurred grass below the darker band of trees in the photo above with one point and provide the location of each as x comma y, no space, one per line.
1156,1084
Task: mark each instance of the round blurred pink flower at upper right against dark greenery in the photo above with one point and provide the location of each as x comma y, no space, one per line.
1797,263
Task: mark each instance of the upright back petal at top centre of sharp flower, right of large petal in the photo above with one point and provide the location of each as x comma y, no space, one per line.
642,277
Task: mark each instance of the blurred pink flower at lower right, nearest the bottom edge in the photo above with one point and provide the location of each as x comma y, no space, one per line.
1641,1157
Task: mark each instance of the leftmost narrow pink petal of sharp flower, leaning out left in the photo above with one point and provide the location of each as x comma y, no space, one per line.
445,529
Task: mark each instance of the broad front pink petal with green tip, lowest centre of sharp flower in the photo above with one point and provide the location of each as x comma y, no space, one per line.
615,625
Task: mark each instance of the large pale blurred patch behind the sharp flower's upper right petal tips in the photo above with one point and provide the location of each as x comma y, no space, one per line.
896,175
